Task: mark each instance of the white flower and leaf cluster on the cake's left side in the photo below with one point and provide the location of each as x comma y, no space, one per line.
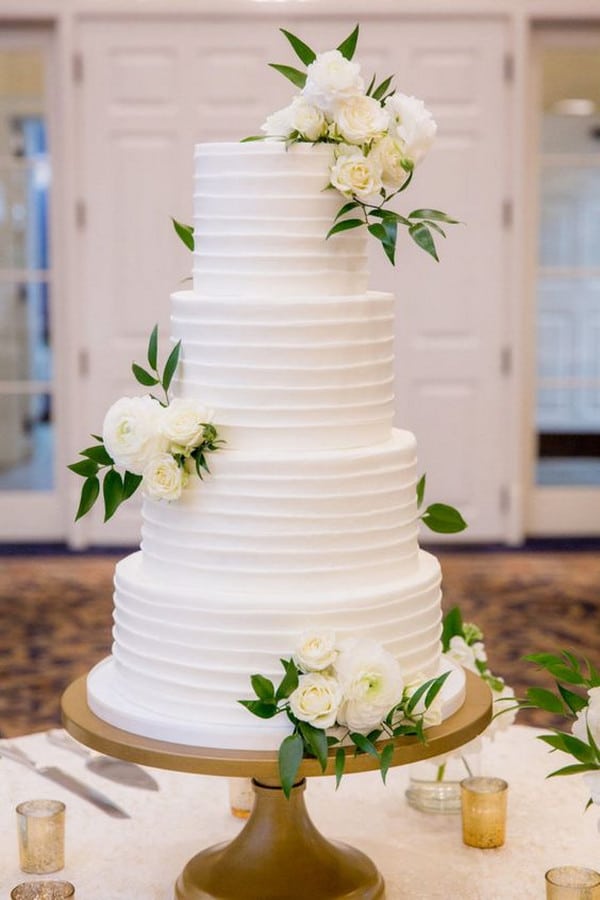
156,443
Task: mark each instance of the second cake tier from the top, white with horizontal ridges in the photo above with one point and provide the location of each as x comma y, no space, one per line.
290,374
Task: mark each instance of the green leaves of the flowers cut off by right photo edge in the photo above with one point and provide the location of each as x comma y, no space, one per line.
572,677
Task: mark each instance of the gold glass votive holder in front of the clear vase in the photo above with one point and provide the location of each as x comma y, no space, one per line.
483,807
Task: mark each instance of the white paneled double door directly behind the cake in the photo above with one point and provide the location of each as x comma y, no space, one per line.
147,94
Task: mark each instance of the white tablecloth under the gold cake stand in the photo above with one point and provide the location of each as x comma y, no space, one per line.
421,856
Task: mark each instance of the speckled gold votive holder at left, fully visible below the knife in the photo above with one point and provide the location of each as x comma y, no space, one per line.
41,833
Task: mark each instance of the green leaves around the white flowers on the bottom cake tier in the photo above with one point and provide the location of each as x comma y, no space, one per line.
406,718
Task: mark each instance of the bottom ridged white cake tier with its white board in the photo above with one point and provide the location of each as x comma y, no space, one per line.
181,662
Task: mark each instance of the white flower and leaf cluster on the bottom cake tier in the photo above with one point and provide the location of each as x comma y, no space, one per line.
344,695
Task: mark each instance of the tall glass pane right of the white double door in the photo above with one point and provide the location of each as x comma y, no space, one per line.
568,284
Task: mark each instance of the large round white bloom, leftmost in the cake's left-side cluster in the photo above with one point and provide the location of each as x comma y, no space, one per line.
131,432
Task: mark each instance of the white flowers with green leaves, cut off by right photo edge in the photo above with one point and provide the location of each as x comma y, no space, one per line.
576,698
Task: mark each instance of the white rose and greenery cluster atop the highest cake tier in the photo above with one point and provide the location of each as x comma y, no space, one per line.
379,136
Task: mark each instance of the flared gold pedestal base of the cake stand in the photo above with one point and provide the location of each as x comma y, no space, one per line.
279,853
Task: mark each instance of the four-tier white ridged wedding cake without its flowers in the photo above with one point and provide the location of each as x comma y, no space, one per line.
309,514
